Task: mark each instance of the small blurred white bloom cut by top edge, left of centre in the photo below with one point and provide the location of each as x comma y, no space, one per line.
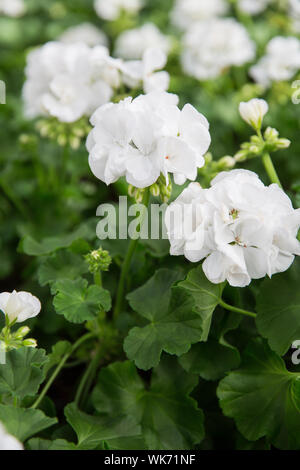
111,9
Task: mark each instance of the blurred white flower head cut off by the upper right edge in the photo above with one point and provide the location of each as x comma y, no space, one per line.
281,62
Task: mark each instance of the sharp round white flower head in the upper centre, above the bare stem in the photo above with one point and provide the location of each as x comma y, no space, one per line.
146,137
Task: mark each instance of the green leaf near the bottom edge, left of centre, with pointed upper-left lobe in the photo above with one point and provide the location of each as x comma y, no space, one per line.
91,431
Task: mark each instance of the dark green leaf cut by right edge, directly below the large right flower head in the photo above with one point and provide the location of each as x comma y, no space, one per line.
278,307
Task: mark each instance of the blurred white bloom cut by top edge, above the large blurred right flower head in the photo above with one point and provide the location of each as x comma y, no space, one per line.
187,12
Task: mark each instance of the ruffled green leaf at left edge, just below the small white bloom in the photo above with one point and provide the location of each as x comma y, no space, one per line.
22,373
